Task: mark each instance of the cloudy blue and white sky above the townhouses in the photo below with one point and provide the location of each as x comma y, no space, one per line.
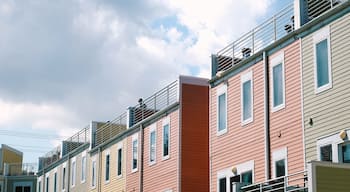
64,63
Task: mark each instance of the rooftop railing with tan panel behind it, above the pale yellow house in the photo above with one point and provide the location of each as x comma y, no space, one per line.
108,130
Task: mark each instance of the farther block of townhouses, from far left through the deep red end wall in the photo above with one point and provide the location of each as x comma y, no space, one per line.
161,144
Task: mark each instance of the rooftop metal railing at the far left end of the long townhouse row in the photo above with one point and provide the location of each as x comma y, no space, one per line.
80,138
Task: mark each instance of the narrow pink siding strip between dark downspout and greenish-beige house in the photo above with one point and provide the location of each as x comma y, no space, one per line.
286,124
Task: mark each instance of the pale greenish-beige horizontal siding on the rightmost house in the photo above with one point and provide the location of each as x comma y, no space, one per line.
330,110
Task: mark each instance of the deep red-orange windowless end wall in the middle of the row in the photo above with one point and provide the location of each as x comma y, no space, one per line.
194,138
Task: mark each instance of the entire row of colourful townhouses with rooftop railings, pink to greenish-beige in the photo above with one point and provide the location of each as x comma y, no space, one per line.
273,117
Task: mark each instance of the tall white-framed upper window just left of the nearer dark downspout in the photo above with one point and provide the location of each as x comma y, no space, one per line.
246,98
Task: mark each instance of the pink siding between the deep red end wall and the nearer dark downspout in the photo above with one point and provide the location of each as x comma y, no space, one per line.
241,143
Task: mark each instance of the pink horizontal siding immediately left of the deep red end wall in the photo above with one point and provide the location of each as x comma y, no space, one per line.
163,174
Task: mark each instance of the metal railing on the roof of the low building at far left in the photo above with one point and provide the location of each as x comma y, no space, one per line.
20,169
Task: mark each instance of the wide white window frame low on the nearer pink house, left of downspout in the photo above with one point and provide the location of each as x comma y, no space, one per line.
227,173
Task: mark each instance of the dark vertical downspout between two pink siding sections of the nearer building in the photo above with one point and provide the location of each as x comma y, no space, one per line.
267,117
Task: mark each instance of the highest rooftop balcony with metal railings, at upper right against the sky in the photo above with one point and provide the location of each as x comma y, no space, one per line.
267,33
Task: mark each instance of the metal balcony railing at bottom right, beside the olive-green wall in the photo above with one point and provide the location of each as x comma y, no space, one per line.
293,182
